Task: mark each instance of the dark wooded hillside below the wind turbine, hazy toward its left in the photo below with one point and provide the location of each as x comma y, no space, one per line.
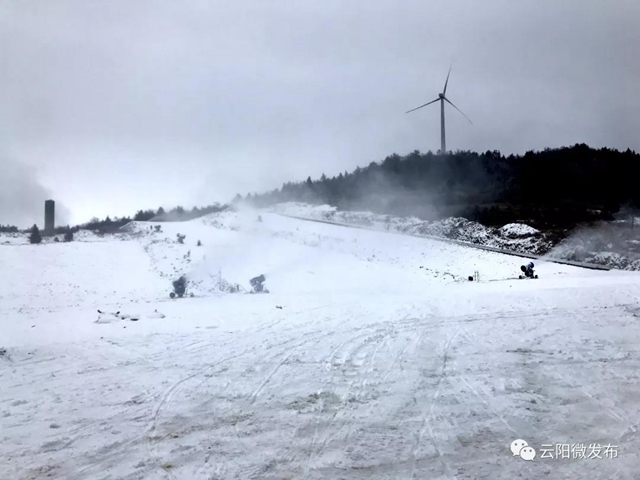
553,188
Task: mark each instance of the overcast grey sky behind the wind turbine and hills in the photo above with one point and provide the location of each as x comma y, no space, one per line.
112,106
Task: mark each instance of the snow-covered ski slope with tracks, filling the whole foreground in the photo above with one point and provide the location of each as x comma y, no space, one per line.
382,361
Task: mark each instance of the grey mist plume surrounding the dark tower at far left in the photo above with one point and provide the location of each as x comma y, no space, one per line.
22,197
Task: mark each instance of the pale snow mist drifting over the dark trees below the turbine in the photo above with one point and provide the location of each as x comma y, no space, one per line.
426,186
